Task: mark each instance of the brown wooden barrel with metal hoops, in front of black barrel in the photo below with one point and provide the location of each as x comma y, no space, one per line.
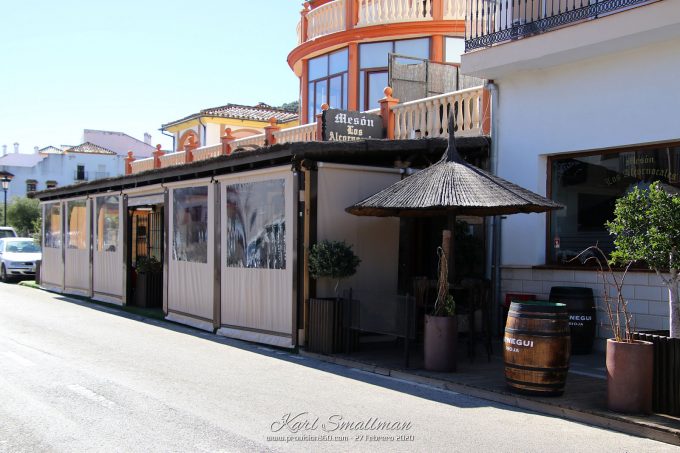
537,347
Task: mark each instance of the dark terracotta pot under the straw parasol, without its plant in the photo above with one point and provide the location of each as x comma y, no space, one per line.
441,336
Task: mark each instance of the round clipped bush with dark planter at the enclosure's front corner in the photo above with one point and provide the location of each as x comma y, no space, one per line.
333,260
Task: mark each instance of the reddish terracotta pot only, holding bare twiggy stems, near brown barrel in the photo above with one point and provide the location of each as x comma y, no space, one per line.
630,368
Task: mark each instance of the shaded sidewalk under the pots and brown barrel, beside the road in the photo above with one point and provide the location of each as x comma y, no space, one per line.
584,399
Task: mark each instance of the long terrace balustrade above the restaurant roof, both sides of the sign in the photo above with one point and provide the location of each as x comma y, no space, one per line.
422,118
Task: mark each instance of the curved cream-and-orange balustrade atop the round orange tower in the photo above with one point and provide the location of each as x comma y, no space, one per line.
341,15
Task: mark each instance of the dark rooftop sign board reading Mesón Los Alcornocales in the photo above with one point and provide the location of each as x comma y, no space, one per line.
346,126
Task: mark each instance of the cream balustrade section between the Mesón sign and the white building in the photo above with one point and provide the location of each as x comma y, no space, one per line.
429,117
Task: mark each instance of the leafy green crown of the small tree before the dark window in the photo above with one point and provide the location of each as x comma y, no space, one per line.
646,227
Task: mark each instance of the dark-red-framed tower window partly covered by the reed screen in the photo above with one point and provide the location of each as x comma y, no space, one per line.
373,62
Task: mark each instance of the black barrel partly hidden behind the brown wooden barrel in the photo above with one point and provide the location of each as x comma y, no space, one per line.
582,315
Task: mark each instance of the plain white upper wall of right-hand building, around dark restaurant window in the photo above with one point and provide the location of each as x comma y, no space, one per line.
628,98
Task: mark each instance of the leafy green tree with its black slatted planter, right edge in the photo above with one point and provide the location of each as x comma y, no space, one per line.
646,227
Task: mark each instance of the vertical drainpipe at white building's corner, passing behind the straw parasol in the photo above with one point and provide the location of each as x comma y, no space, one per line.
494,252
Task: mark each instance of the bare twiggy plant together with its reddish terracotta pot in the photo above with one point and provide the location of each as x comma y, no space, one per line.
629,361
